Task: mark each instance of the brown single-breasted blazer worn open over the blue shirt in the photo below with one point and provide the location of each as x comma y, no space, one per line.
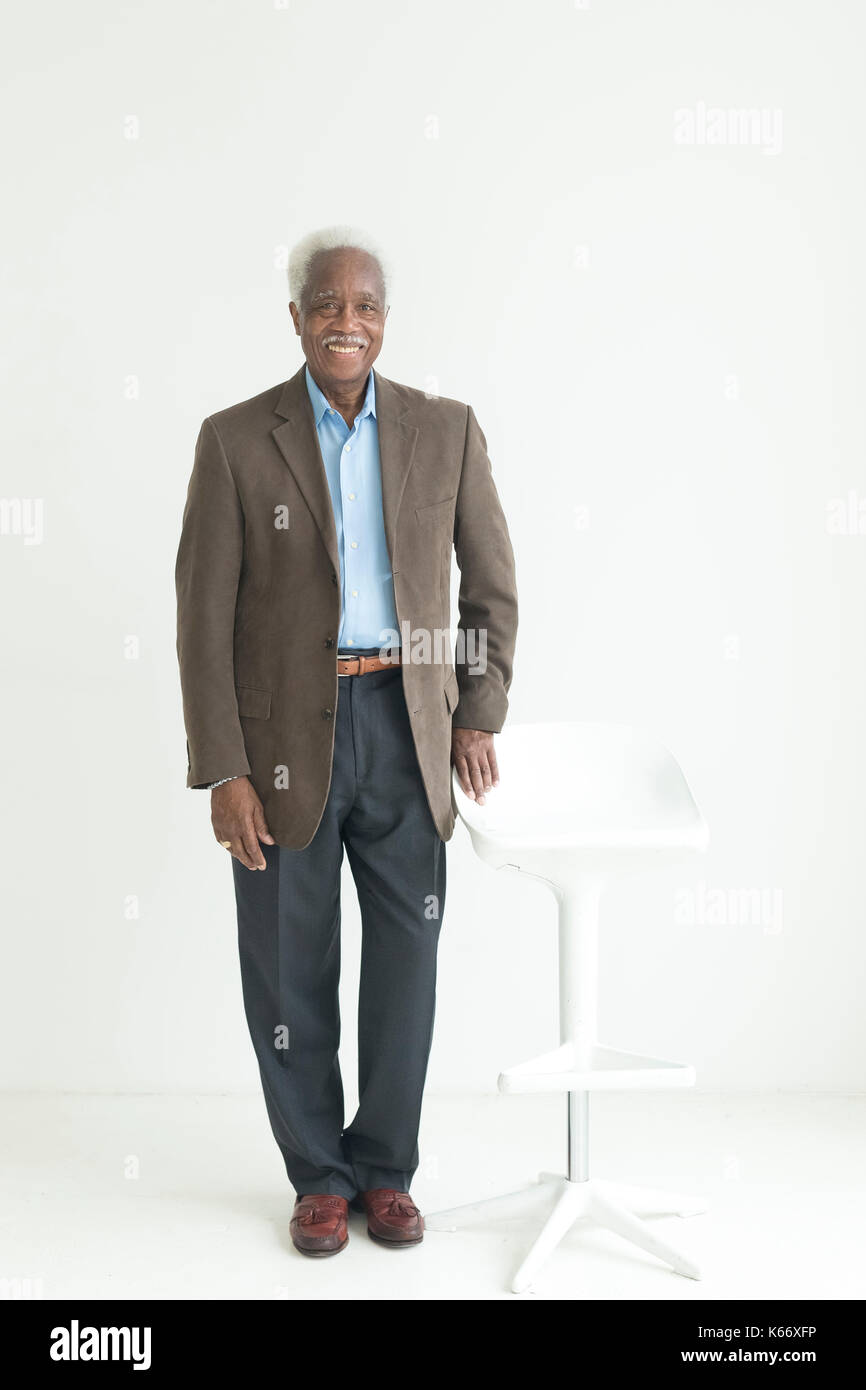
259,605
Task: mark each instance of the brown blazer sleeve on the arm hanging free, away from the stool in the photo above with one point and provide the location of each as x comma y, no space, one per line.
206,580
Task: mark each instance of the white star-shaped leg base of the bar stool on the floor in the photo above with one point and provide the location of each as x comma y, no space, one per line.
612,1206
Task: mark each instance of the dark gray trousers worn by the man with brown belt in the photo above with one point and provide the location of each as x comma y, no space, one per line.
290,943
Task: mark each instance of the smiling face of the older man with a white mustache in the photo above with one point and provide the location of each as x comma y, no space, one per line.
343,319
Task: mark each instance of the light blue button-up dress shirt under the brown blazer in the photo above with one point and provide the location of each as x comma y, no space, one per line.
369,615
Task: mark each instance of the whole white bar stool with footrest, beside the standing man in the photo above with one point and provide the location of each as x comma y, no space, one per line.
618,803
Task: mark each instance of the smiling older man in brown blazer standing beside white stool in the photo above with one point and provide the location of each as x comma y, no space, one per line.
325,711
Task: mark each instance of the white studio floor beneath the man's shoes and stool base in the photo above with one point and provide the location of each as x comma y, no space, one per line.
186,1197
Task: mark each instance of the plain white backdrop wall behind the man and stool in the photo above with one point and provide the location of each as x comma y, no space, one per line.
655,311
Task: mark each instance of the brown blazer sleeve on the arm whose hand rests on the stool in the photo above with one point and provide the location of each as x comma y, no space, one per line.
489,594
